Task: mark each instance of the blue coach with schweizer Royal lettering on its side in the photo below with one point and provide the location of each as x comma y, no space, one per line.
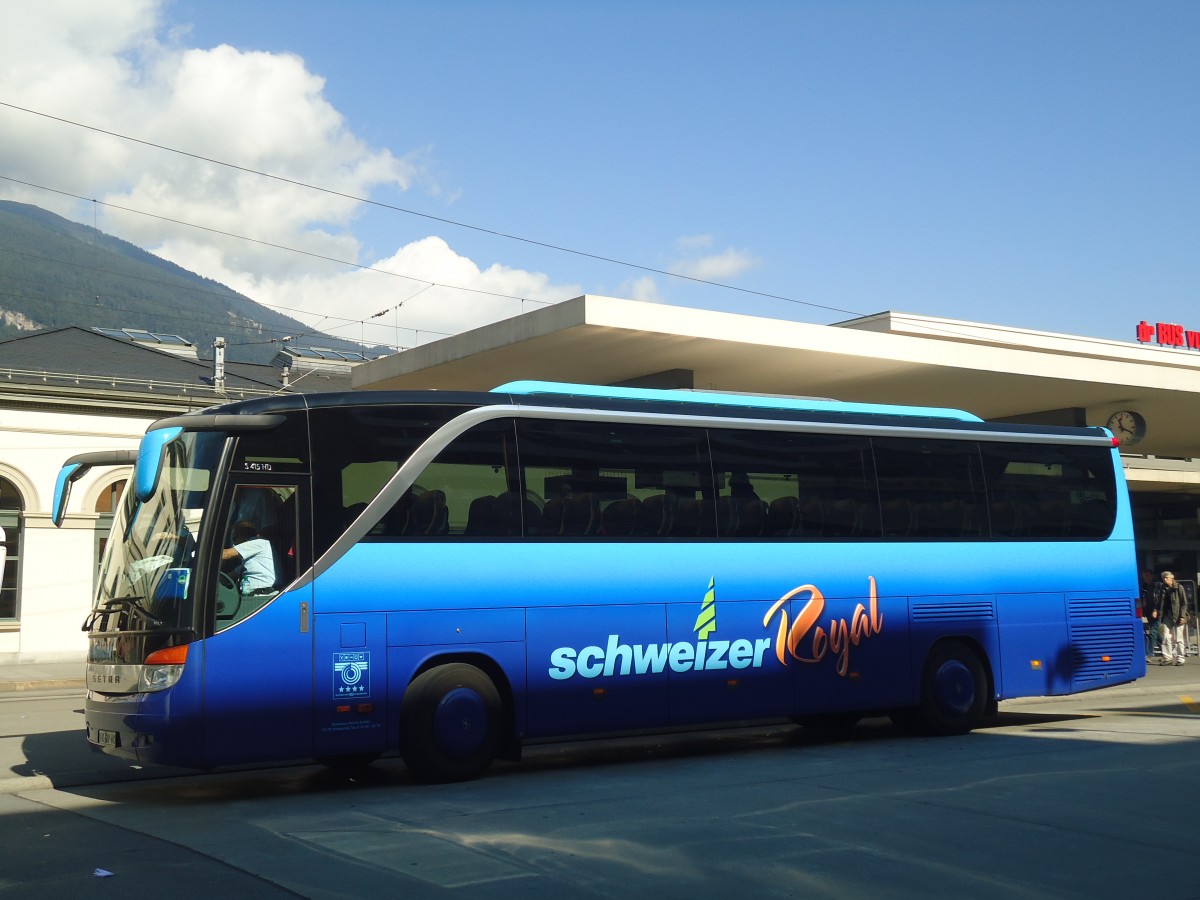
452,575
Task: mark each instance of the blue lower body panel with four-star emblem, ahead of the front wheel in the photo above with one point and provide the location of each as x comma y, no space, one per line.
351,685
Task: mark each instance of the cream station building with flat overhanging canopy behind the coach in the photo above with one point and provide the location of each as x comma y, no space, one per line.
73,391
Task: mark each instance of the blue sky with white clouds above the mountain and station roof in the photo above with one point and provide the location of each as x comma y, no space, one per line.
1024,164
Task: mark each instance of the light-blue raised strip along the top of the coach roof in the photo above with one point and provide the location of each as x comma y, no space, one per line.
755,401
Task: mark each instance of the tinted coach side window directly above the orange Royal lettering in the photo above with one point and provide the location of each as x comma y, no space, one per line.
789,485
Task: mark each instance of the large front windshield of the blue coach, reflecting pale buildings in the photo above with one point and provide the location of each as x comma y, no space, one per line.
145,596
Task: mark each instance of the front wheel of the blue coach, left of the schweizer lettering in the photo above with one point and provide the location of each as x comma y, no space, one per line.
451,724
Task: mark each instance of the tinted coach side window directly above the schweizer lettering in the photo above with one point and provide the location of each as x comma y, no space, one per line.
608,481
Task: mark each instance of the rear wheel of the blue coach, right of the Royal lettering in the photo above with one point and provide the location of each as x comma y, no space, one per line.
953,691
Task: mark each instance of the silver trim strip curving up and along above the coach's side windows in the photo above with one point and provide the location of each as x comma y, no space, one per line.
406,476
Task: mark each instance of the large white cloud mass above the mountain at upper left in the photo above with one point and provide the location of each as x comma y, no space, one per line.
115,67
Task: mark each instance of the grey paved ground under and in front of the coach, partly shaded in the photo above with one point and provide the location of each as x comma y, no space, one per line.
1048,802
